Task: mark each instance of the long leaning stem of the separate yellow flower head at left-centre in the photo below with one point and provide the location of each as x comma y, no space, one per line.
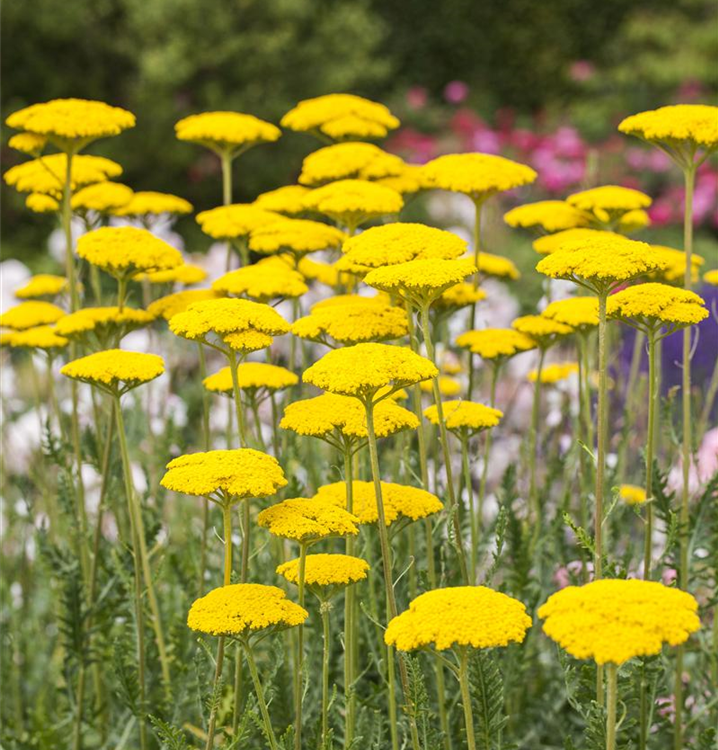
135,514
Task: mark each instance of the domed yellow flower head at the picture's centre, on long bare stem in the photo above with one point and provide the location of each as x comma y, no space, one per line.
362,369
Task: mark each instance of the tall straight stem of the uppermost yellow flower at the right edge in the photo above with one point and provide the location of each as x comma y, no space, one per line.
689,174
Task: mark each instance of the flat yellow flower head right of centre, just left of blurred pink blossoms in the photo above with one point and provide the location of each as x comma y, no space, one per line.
476,175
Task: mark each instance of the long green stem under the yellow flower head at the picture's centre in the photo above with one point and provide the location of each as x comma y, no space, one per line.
387,568
